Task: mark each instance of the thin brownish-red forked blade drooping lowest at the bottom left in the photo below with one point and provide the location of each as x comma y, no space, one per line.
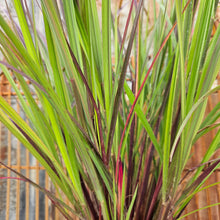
60,205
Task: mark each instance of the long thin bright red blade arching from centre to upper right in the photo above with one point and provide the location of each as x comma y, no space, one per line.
141,88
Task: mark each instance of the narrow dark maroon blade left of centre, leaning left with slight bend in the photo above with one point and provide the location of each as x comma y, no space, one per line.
93,102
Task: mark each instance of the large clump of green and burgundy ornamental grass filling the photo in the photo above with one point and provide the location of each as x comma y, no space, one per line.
114,137
